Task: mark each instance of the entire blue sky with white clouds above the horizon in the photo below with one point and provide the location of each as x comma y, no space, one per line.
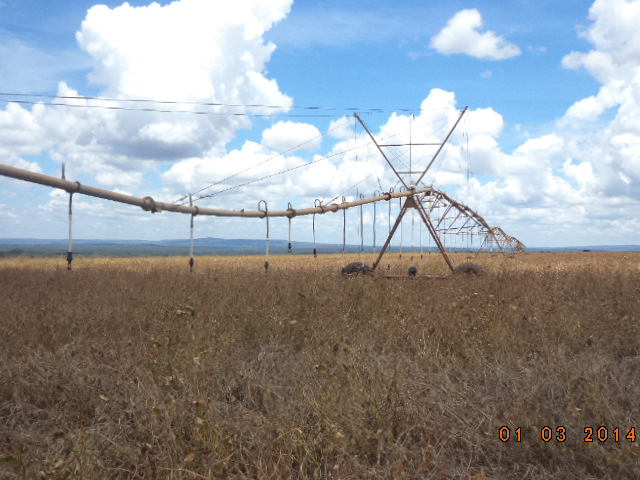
549,140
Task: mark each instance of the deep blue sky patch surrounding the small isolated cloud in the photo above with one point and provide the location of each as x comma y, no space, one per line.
383,53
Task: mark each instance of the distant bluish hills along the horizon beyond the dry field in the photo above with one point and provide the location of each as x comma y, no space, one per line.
213,246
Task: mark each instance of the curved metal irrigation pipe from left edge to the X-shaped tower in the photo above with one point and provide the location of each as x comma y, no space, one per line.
150,205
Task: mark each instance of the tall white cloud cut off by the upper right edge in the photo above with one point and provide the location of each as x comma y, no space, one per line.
615,62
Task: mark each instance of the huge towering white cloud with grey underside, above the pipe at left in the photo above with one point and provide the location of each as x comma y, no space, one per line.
204,60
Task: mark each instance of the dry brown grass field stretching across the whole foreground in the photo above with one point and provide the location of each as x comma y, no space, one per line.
137,368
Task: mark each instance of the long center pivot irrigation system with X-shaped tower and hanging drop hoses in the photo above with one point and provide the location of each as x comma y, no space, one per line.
443,217
